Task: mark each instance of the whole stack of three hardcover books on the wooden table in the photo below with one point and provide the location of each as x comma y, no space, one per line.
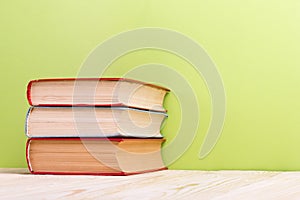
106,126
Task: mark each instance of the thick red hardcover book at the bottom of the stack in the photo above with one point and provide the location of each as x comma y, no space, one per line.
94,156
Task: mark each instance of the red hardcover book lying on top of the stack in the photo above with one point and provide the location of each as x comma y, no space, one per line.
96,92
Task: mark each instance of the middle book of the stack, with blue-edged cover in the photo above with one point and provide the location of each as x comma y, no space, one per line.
93,122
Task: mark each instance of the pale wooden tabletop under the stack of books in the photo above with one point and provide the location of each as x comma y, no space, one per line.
167,184
